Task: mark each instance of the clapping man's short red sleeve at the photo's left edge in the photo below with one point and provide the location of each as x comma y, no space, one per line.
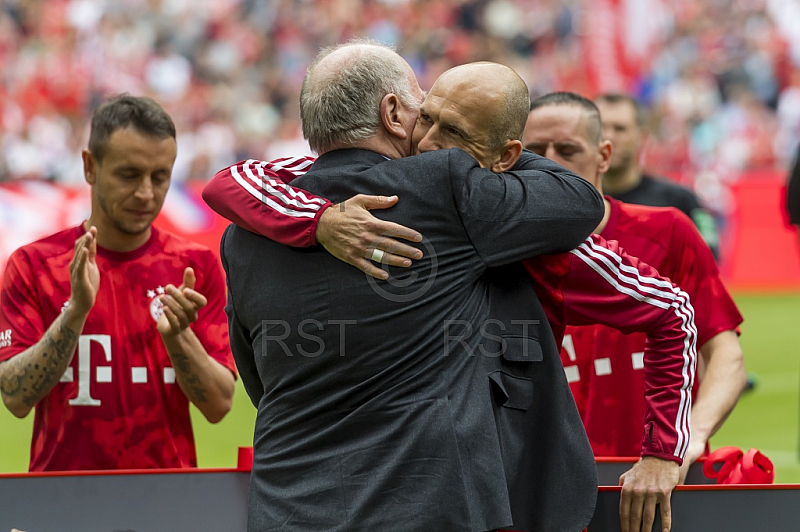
21,323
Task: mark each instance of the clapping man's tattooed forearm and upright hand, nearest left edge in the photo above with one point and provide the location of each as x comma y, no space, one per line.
29,376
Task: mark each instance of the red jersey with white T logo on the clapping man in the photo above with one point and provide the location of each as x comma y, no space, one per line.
118,405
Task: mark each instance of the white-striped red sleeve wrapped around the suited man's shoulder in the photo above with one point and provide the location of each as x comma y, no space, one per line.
257,196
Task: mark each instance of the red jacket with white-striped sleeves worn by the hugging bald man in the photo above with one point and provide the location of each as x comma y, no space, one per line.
595,283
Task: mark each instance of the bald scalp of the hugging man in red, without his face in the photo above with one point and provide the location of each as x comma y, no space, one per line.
500,98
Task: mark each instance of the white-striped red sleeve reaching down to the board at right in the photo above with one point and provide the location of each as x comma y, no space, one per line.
608,287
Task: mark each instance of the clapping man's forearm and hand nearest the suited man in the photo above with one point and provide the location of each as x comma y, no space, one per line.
206,383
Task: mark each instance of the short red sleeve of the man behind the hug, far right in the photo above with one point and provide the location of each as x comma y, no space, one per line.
698,275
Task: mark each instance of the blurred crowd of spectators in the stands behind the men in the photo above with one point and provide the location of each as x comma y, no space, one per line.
721,78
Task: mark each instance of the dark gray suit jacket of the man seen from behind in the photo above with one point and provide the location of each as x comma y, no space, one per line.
435,401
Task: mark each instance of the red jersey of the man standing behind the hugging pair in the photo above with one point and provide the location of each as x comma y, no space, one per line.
605,367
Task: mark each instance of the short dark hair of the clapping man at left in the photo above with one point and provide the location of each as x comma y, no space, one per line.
122,111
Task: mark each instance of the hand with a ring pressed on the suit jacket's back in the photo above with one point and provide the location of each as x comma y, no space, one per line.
349,232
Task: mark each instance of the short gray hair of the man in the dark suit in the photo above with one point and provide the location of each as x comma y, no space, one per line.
342,107
